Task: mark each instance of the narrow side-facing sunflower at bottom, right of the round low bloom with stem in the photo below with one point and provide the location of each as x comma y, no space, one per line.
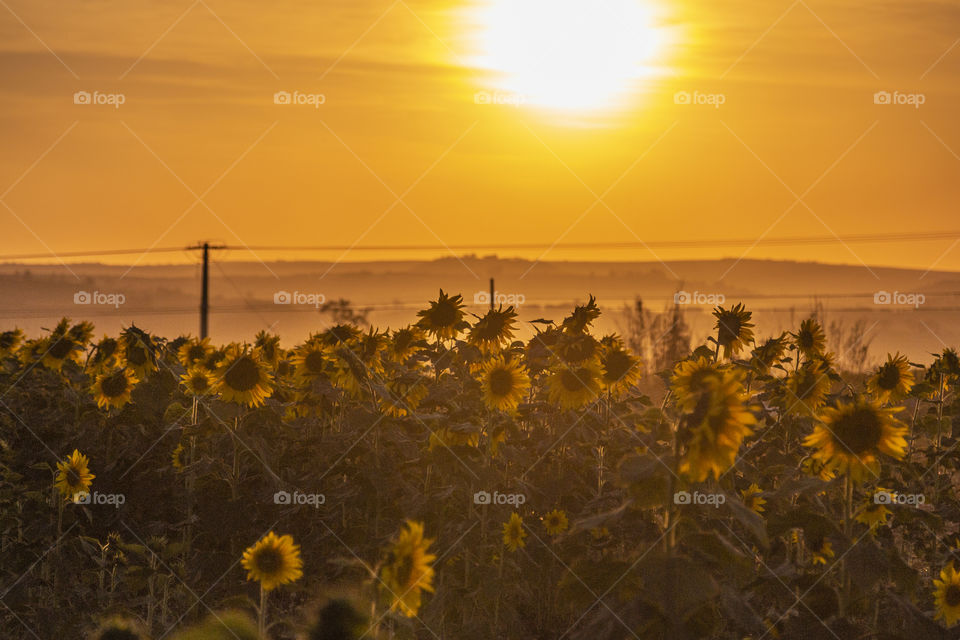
407,571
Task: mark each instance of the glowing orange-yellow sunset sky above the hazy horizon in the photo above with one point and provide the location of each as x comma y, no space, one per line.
489,124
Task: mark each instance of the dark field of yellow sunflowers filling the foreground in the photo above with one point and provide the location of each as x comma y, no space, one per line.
445,480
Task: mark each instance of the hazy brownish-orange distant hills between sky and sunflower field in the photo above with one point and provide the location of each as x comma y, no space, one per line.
165,299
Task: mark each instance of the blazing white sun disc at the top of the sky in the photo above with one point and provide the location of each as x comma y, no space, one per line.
567,54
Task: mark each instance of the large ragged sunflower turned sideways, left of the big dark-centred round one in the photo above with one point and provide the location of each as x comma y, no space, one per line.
713,431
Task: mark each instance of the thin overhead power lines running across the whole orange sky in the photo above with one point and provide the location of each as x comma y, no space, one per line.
653,244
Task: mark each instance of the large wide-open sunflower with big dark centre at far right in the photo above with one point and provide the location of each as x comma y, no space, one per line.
852,436
